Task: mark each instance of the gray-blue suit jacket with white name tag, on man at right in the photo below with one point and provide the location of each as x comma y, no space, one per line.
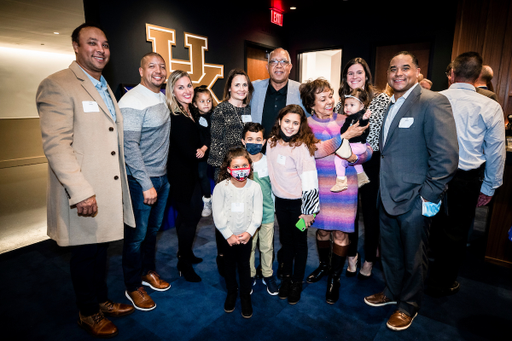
421,159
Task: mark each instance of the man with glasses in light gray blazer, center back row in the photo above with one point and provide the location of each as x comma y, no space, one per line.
267,100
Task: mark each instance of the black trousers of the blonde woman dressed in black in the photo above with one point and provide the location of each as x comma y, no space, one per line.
189,214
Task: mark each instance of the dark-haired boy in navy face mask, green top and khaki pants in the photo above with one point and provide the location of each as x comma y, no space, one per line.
264,237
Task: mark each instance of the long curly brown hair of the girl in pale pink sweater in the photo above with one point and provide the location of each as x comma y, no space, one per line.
305,134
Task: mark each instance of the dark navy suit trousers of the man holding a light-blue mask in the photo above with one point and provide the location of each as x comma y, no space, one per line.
404,242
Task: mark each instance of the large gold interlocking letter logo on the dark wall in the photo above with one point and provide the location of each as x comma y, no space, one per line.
201,73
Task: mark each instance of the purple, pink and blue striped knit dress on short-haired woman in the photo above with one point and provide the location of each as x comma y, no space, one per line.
337,210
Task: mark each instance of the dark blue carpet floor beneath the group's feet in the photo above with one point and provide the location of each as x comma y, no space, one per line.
38,301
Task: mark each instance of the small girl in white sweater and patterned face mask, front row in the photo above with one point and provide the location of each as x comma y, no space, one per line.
237,205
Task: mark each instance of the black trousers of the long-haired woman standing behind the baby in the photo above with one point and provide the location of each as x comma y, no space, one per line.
368,195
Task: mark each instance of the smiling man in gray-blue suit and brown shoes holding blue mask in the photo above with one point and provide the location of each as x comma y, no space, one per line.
419,155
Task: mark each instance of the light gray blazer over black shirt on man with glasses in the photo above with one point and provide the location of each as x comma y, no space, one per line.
260,91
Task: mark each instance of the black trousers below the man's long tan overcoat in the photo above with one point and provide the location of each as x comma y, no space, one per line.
88,268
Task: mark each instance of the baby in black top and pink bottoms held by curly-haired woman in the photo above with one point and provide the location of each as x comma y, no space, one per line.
354,106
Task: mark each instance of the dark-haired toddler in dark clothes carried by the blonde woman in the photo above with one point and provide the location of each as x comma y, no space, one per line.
202,109
